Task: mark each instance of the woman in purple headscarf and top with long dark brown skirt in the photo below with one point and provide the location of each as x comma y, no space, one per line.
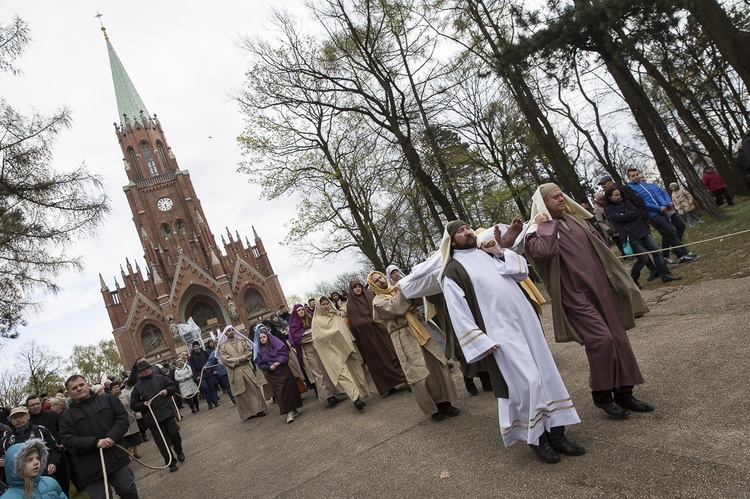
272,356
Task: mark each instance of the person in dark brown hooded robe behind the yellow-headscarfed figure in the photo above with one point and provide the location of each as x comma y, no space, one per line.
373,340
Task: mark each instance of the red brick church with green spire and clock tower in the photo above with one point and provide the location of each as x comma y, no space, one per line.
187,274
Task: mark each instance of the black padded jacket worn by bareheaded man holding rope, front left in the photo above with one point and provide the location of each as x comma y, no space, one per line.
87,422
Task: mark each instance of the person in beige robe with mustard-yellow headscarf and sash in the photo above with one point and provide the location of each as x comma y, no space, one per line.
423,363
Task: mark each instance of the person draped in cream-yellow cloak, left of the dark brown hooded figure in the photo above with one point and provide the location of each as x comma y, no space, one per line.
335,345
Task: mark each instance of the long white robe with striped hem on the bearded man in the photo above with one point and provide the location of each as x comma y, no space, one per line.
538,399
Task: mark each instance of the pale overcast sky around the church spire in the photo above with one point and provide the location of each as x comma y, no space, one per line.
184,60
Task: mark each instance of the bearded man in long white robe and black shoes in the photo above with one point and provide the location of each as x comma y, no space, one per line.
492,316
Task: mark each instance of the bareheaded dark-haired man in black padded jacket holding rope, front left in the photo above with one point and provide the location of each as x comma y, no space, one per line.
94,422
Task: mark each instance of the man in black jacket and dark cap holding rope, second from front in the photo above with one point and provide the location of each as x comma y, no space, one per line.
152,397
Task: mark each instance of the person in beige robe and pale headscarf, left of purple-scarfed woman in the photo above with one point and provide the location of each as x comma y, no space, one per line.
235,352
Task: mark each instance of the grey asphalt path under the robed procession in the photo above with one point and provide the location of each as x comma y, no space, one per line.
694,351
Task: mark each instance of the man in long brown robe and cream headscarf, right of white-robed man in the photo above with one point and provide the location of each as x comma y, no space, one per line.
593,299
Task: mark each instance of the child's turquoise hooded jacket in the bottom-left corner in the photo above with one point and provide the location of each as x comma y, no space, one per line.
44,487
